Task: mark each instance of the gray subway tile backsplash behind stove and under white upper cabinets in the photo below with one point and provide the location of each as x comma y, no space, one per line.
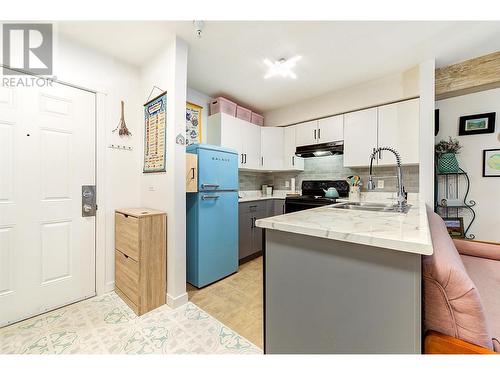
330,168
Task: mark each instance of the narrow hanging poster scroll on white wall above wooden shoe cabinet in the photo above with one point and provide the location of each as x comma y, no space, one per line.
155,130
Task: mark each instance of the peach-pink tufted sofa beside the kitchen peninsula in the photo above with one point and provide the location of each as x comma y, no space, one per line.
461,292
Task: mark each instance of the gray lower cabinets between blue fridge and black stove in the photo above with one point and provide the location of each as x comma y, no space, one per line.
250,237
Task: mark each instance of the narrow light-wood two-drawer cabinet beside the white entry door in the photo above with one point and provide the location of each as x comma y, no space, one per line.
141,258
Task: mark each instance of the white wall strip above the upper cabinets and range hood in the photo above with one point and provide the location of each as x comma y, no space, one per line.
368,94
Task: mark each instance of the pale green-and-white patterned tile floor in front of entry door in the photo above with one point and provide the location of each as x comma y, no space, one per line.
106,325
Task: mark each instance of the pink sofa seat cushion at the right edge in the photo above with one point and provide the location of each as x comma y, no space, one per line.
485,273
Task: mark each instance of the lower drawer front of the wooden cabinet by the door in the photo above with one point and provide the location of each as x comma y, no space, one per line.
127,276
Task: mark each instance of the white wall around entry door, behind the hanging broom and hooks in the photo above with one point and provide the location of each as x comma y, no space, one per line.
114,81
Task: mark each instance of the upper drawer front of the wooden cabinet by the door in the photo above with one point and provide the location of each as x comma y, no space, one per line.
127,235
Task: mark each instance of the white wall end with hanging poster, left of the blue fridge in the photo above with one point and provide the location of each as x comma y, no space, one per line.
166,191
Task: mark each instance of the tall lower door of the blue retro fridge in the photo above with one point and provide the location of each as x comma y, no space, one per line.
217,236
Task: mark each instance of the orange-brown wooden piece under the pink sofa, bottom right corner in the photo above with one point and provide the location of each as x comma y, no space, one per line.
438,343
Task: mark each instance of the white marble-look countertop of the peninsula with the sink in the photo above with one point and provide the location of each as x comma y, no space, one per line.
391,230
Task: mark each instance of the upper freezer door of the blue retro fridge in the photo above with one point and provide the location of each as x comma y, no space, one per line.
217,170
